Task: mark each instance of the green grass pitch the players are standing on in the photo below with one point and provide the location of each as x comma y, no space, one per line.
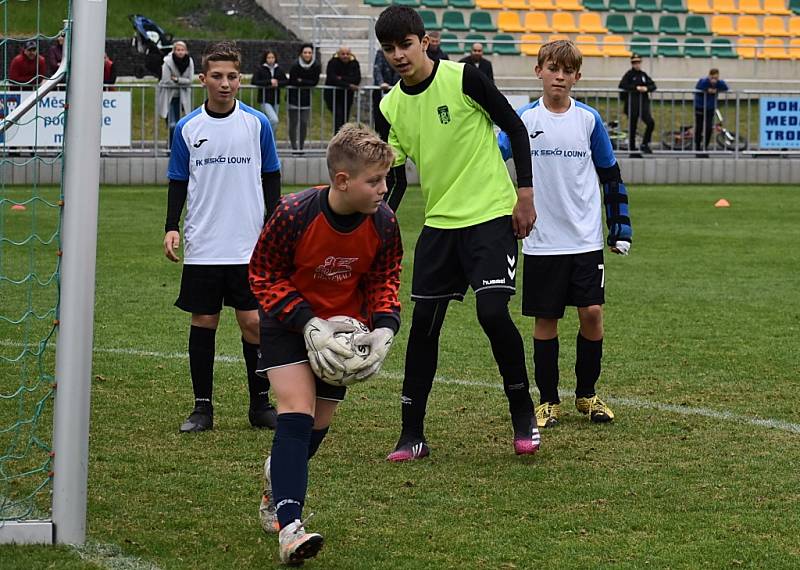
702,316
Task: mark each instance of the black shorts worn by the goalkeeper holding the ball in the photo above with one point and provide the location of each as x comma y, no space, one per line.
281,347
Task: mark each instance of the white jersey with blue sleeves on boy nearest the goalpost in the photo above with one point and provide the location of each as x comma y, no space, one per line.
222,159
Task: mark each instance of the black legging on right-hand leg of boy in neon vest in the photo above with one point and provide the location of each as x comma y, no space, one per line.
508,350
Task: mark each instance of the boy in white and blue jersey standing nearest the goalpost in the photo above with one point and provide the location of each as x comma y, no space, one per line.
225,168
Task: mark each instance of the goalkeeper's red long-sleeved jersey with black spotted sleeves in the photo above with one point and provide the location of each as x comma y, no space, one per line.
305,265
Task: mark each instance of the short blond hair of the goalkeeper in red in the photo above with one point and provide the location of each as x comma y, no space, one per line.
356,147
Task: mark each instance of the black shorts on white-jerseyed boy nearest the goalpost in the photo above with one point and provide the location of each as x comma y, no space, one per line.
206,288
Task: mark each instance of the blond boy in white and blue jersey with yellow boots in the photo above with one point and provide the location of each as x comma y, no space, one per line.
571,156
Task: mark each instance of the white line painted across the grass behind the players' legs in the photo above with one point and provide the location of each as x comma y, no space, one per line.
623,401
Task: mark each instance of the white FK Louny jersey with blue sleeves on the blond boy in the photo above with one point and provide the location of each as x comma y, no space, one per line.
565,149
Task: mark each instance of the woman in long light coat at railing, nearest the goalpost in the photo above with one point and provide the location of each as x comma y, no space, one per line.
174,96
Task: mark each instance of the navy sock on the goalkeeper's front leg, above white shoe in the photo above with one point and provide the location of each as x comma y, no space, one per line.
289,465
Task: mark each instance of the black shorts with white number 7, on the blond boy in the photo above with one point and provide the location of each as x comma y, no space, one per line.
551,282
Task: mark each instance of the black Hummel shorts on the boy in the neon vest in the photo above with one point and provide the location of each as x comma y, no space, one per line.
483,257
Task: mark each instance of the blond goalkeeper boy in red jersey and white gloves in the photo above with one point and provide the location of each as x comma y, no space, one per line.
326,251
